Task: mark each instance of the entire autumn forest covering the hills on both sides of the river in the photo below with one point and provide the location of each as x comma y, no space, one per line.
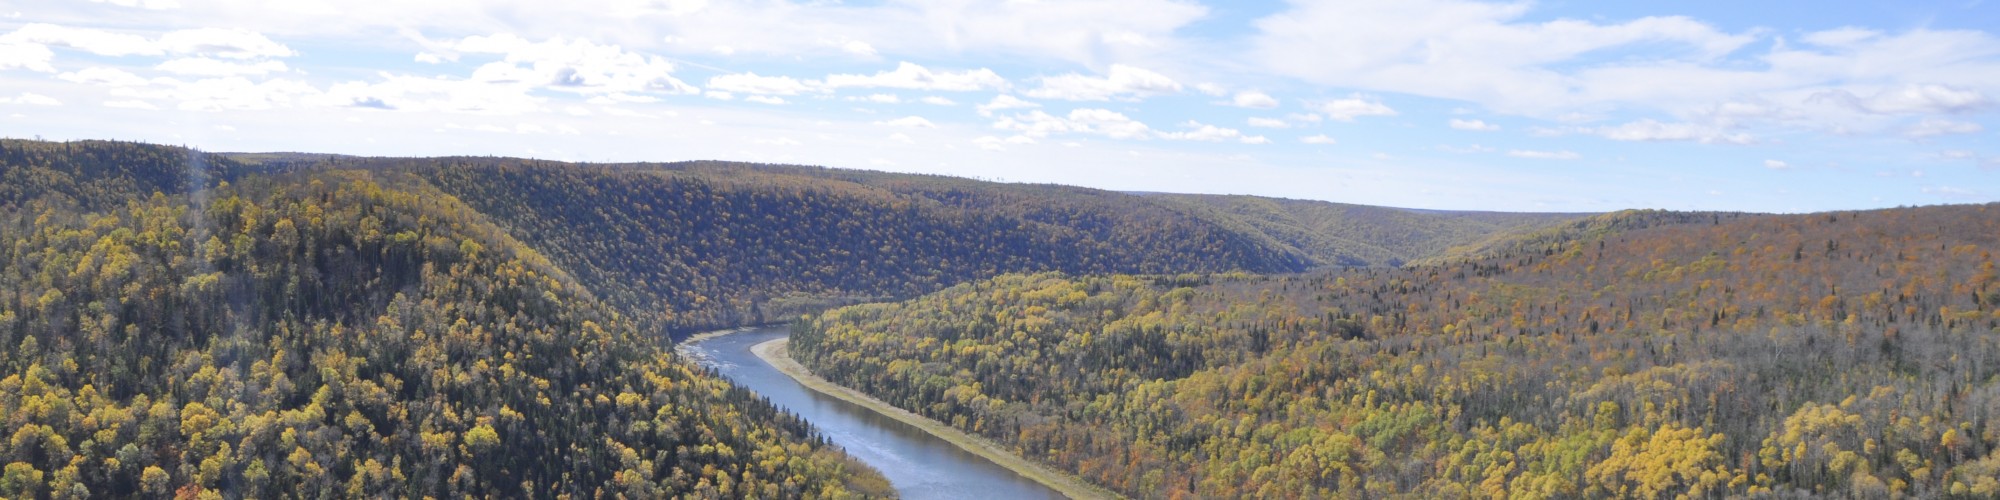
177,323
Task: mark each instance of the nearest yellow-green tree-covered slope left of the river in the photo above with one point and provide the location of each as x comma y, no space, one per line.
339,333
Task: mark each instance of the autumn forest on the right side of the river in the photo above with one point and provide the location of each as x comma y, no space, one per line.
1629,355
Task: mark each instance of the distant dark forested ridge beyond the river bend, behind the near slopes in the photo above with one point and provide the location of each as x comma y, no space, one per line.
711,245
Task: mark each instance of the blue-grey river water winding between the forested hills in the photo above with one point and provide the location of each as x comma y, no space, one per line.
919,465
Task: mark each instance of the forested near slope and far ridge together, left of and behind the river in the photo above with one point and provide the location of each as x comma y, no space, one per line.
299,325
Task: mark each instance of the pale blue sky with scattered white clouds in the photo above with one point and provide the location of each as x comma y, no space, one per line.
1455,105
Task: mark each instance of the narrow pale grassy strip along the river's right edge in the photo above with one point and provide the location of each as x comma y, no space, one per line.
777,355
